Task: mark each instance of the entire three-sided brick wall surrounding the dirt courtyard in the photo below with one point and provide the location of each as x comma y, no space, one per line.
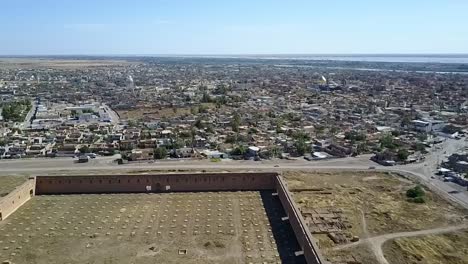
168,183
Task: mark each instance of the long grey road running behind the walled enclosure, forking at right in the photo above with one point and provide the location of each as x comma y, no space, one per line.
422,171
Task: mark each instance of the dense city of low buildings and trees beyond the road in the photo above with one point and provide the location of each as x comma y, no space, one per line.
229,109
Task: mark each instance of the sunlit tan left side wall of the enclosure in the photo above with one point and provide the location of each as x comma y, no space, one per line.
16,198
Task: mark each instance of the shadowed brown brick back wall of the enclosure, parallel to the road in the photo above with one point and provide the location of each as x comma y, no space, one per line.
155,183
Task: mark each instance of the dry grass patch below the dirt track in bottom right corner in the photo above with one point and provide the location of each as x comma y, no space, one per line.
450,248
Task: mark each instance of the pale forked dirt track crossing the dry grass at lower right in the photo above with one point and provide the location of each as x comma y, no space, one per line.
375,243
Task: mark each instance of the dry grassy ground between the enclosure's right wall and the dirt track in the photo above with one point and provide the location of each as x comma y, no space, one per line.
373,199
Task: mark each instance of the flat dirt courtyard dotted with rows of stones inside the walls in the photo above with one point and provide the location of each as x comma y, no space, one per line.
208,227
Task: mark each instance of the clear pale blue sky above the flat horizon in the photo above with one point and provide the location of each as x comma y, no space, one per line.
48,27
